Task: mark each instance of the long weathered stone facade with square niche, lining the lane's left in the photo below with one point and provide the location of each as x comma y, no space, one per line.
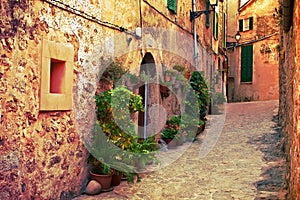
52,53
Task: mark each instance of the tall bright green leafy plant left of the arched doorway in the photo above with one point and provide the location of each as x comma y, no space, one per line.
114,110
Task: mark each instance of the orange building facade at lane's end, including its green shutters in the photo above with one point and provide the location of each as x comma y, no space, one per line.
253,61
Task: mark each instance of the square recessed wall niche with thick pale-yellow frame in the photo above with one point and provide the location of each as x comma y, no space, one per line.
57,63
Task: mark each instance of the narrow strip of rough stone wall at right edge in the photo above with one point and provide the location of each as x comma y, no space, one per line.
290,90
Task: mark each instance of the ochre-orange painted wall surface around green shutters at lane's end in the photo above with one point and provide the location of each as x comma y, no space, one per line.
265,39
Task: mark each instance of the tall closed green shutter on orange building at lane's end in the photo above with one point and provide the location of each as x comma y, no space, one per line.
247,63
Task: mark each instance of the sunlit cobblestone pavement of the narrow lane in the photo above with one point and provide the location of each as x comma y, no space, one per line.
243,162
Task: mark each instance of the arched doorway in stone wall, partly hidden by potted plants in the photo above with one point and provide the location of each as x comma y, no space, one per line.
150,93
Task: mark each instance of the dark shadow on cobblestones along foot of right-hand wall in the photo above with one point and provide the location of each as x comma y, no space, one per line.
273,185
